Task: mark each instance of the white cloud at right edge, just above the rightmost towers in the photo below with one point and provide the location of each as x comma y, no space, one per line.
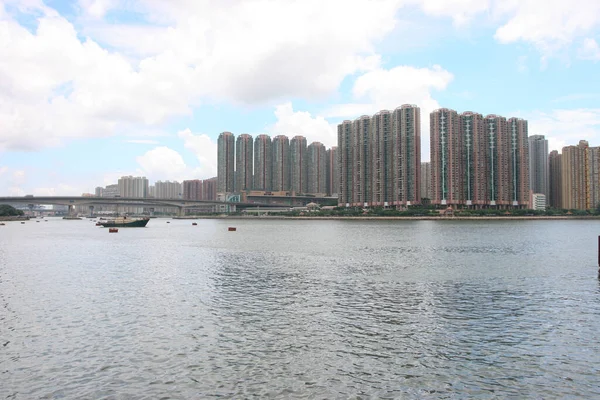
566,127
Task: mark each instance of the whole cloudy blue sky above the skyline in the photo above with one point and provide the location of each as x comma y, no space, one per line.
92,90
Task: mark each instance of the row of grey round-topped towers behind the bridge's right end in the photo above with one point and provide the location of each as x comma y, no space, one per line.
275,165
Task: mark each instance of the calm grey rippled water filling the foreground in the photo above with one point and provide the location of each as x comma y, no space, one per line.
300,309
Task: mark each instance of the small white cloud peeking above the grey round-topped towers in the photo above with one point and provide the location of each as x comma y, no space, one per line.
292,123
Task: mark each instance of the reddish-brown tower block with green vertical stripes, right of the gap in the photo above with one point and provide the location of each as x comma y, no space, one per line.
479,161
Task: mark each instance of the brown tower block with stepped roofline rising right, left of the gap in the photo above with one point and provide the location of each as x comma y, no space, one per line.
380,159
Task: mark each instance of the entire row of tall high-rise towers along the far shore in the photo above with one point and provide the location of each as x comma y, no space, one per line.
476,162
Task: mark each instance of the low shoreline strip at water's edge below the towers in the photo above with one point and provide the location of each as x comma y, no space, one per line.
423,218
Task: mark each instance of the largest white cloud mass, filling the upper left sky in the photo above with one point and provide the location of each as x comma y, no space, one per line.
55,86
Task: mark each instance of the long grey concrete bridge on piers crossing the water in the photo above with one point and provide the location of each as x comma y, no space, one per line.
151,203
